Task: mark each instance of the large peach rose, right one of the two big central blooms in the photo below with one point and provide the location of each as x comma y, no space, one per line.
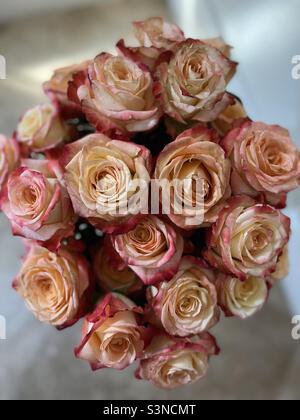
196,166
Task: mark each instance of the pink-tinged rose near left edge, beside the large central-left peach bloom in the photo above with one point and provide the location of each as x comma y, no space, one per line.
37,204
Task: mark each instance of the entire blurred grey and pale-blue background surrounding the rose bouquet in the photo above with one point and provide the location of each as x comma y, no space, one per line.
259,359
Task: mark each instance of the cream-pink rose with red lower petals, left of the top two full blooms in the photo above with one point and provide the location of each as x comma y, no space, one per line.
120,96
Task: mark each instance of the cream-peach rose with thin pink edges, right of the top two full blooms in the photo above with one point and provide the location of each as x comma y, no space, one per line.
192,86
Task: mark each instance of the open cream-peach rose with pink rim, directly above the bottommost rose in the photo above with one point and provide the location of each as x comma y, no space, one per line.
188,304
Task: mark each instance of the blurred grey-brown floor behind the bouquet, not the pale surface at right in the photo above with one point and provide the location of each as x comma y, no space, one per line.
259,359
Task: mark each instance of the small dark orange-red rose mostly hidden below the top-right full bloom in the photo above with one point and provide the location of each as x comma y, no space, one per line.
229,117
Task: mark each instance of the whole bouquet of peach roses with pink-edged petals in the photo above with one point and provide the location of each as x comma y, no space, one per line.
149,203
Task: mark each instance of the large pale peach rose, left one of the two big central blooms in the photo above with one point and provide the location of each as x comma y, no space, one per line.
107,181
